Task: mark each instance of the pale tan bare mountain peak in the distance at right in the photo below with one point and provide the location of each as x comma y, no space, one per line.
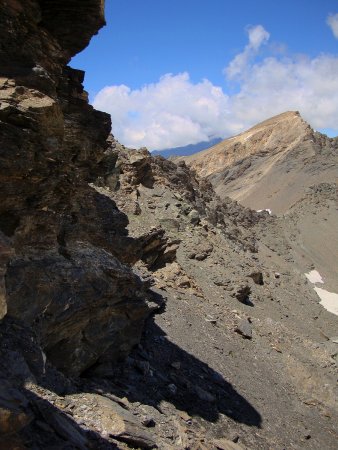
270,165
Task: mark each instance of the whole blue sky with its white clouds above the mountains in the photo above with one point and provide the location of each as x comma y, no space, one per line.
179,72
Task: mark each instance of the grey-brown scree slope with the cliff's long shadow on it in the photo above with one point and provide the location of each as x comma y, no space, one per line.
242,346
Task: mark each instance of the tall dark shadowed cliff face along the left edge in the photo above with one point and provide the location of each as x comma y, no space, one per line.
64,246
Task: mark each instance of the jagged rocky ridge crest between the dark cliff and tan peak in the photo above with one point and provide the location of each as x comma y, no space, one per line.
130,173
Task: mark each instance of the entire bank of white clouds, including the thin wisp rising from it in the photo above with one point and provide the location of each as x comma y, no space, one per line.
175,111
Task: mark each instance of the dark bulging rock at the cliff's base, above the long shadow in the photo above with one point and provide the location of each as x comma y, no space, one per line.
83,284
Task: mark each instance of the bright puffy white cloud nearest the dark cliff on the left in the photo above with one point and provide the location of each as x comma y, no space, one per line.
169,113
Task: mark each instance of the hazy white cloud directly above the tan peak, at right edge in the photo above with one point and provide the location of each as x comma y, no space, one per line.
277,85
